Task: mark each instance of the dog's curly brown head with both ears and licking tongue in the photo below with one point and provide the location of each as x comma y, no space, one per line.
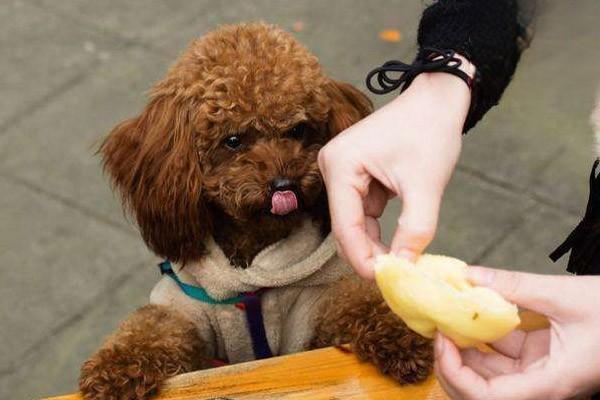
235,125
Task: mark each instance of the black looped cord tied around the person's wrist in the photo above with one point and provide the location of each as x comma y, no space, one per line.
428,59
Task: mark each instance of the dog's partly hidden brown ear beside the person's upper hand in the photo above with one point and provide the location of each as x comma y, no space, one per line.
348,106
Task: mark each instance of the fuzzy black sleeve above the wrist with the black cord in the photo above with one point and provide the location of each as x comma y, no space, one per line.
488,33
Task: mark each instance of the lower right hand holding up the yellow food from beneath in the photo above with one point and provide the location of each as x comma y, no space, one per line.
561,362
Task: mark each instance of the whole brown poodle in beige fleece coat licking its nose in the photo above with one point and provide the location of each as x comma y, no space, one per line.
220,172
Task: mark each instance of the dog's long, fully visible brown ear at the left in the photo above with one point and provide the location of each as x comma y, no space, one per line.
153,162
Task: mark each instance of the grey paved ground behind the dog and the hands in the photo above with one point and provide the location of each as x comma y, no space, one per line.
72,266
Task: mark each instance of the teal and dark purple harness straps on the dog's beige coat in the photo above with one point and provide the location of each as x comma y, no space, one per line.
249,302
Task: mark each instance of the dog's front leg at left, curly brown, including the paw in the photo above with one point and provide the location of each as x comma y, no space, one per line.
154,343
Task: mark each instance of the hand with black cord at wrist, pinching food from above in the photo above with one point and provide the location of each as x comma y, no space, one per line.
408,148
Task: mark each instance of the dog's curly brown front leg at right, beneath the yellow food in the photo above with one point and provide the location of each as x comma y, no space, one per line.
354,312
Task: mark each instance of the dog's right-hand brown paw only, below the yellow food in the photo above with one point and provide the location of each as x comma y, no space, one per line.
397,351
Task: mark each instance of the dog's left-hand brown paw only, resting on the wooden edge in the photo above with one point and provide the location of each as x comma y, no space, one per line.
119,373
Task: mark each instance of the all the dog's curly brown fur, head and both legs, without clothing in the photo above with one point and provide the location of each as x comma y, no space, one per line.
181,180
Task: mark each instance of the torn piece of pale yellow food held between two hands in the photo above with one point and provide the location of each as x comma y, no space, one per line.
433,294
